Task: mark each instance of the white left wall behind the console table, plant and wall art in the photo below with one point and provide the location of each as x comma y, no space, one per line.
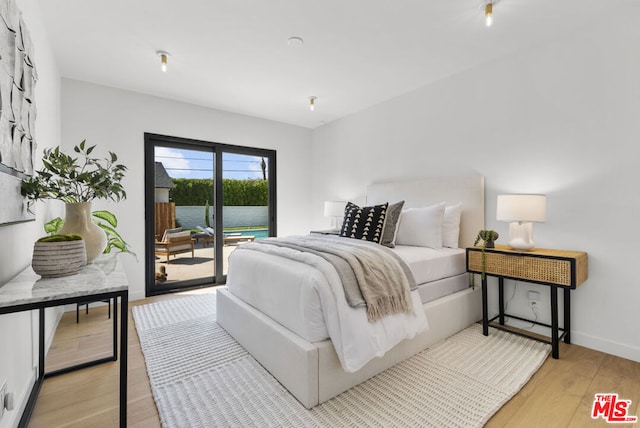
18,331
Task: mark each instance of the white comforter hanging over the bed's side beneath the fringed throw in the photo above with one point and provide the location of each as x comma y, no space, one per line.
354,338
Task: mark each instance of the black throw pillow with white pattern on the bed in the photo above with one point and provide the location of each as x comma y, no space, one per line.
365,223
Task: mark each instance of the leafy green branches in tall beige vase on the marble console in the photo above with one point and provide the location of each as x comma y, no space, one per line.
77,181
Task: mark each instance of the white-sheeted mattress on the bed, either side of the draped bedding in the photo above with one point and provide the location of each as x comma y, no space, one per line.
287,293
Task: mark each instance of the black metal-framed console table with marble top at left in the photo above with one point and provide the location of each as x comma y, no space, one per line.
103,279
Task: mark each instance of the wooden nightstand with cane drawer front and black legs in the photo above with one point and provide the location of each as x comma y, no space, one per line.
566,270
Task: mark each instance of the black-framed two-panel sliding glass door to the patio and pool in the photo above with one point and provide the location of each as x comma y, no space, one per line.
203,199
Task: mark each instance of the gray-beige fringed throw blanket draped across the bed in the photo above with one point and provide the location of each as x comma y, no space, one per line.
372,275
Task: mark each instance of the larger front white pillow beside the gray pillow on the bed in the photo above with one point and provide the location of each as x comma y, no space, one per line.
421,227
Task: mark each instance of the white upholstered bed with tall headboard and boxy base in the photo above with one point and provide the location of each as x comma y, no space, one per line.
263,309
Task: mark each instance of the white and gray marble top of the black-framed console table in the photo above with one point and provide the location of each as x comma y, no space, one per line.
104,275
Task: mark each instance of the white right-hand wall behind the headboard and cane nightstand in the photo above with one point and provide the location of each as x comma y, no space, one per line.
559,119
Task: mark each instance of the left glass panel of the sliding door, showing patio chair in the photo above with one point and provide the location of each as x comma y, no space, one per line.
183,217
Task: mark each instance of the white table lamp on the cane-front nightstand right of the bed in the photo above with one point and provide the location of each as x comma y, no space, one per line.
521,211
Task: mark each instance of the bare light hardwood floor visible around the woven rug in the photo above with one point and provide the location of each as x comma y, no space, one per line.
560,394
